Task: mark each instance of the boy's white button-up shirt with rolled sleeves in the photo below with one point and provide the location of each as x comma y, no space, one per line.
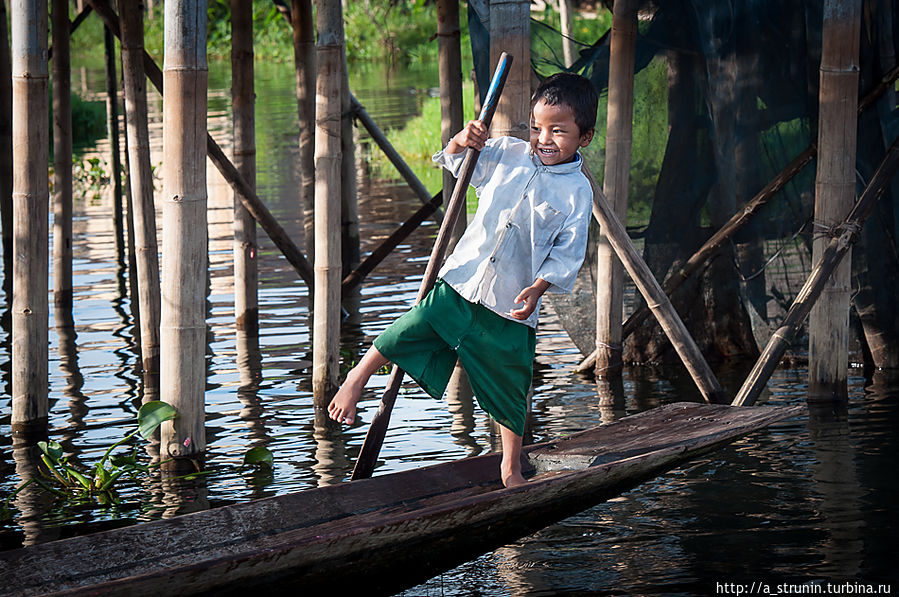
531,223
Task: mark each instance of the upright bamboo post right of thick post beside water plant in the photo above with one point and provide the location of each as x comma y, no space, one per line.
246,275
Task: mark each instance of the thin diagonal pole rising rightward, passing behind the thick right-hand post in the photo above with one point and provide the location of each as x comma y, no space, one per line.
739,219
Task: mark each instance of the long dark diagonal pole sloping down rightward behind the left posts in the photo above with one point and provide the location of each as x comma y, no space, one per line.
248,197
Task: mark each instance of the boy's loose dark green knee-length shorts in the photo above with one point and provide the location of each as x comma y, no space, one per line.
496,353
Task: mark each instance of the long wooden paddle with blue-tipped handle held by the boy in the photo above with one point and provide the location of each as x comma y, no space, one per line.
365,464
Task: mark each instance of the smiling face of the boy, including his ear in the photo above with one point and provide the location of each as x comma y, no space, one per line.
555,136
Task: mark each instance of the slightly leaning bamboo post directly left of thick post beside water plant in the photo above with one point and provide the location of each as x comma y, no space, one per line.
141,205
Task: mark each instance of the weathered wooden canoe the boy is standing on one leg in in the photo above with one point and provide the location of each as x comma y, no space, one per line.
383,534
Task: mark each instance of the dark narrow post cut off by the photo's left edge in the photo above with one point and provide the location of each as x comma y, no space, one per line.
5,148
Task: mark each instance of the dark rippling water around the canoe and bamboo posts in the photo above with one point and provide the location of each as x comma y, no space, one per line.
809,500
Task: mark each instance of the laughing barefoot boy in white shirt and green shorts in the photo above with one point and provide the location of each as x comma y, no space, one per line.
528,236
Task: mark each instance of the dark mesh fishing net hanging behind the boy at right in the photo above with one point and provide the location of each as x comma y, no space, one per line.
726,95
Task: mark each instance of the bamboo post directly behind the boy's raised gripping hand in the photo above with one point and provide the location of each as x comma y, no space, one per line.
450,72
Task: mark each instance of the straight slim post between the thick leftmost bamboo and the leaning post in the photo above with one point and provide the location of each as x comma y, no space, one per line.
62,161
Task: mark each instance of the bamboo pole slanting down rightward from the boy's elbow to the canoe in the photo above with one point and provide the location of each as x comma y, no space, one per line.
659,304
